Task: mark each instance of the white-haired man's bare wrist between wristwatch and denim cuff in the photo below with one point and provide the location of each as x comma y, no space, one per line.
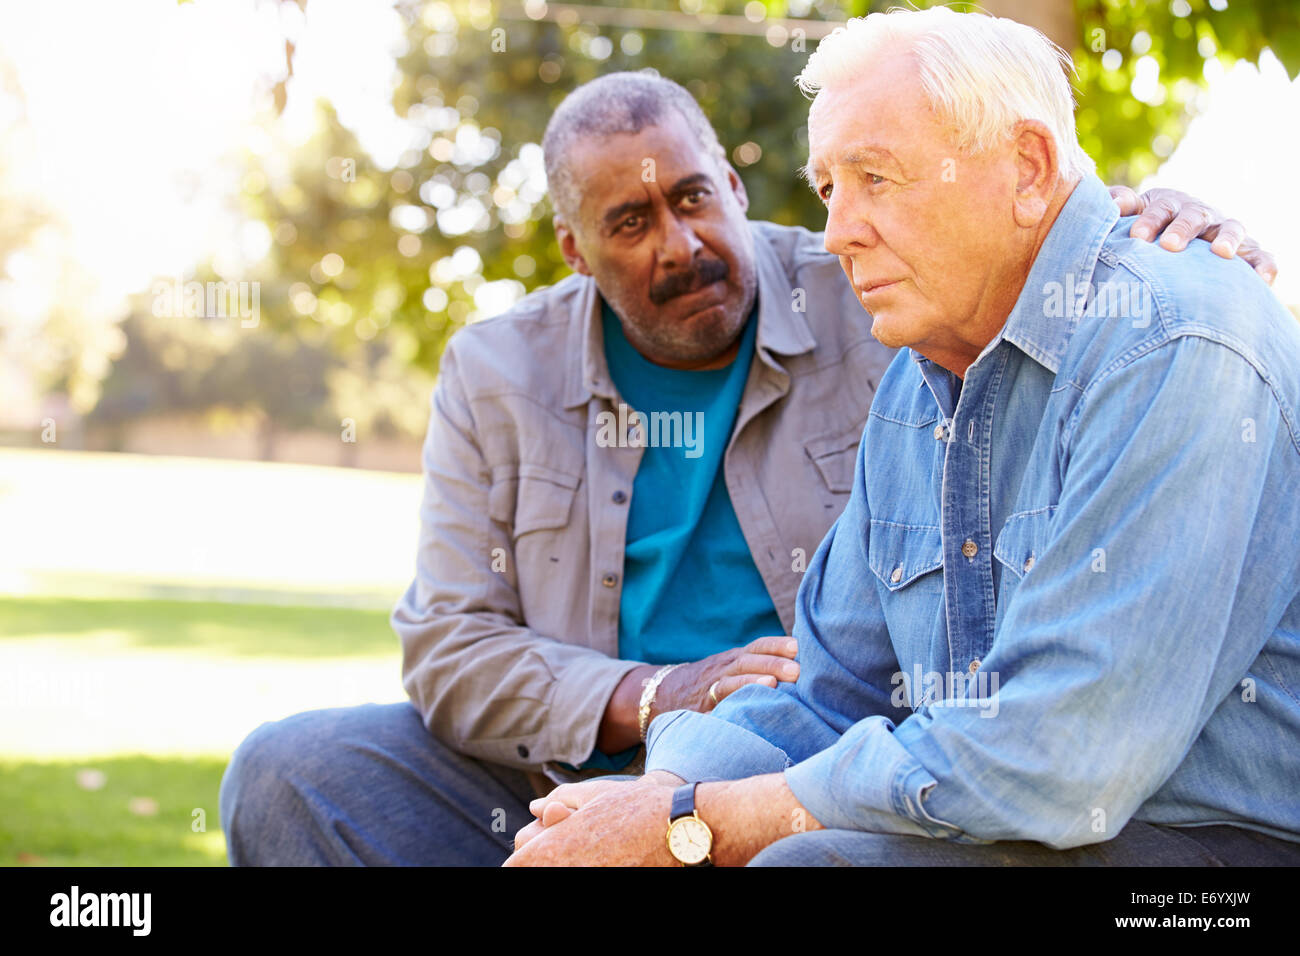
747,816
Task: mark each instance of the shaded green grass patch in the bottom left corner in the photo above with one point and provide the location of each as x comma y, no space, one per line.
46,819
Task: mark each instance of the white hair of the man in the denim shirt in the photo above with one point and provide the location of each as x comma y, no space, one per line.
982,75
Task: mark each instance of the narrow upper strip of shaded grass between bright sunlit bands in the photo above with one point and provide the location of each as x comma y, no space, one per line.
229,630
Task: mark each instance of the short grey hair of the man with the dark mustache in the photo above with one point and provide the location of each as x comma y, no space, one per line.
610,105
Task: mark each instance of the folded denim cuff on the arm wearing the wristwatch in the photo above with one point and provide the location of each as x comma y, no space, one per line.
868,781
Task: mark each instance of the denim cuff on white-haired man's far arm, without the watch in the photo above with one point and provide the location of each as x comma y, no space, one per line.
696,746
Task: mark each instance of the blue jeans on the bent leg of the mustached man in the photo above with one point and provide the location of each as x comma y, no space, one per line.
367,786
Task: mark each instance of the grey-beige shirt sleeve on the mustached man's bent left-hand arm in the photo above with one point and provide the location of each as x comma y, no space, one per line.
484,682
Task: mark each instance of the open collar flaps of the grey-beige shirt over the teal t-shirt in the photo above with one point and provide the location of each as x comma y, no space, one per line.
782,328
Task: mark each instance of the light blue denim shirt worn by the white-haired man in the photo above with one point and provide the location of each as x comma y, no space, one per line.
1064,592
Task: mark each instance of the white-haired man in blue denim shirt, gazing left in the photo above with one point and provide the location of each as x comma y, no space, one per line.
1059,620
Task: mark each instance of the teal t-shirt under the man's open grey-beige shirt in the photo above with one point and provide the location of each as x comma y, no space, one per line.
690,583
